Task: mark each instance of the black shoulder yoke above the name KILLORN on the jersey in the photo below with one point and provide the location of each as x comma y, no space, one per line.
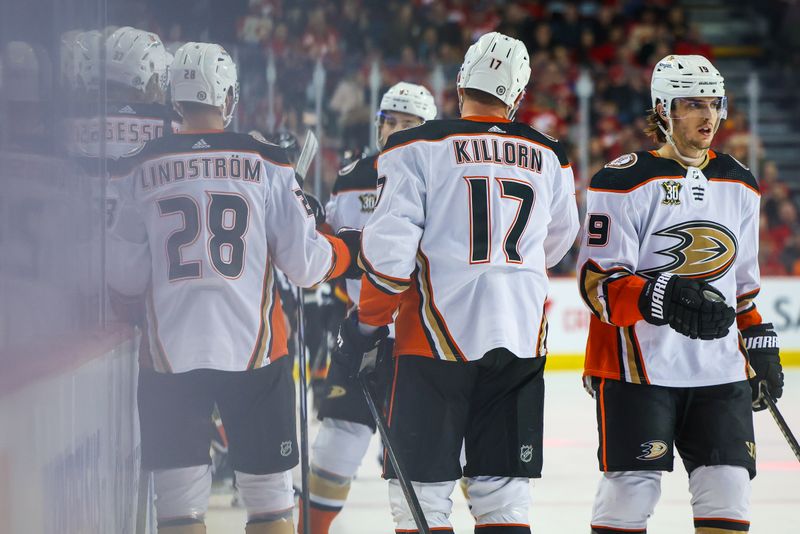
437,130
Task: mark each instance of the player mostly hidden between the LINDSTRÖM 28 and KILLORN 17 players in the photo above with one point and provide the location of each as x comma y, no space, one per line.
347,425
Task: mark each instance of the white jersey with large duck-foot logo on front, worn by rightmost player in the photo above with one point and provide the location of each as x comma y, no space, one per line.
647,215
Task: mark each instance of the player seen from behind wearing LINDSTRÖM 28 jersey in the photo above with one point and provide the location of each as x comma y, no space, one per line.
204,216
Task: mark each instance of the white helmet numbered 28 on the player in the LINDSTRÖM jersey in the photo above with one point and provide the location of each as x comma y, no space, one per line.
204,73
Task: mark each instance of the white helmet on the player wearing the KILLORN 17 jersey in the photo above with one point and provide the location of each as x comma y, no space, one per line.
496,64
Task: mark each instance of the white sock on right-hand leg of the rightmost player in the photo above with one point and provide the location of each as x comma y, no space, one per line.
720,496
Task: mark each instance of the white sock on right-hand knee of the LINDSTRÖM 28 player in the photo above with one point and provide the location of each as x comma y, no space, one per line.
266,497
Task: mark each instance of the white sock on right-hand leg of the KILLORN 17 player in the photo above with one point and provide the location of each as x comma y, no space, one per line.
499,500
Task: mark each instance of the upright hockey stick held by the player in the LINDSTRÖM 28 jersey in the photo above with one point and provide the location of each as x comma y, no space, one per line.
303,163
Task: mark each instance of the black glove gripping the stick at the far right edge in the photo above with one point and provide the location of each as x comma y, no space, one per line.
761,343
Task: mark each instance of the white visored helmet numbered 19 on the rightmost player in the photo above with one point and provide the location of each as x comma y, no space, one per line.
686,77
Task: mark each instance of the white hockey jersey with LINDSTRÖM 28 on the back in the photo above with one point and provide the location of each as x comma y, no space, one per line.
203,219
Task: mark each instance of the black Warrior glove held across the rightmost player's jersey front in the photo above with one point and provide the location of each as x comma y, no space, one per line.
692,308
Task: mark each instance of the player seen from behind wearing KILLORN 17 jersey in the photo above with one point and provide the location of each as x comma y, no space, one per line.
470,214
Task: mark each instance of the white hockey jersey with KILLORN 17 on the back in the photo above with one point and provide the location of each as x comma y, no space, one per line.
470,214
